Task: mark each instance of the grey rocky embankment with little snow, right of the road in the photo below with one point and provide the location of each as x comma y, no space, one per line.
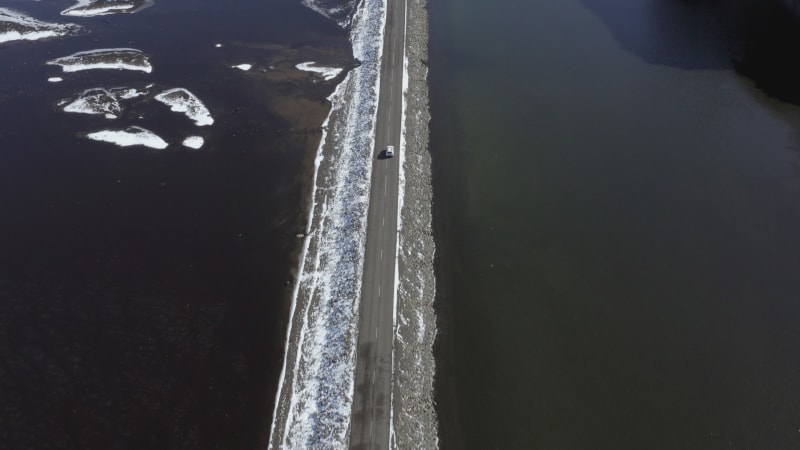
414,416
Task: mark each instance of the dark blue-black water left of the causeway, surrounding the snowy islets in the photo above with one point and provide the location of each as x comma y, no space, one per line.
142,296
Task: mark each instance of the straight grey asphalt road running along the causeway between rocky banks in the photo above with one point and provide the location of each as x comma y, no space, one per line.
369,428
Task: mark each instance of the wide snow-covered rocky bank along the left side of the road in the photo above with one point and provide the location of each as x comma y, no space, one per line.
315,394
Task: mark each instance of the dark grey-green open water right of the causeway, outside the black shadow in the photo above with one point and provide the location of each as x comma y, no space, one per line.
617,215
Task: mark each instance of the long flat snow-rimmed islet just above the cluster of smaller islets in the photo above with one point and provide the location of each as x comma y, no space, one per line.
106,58
